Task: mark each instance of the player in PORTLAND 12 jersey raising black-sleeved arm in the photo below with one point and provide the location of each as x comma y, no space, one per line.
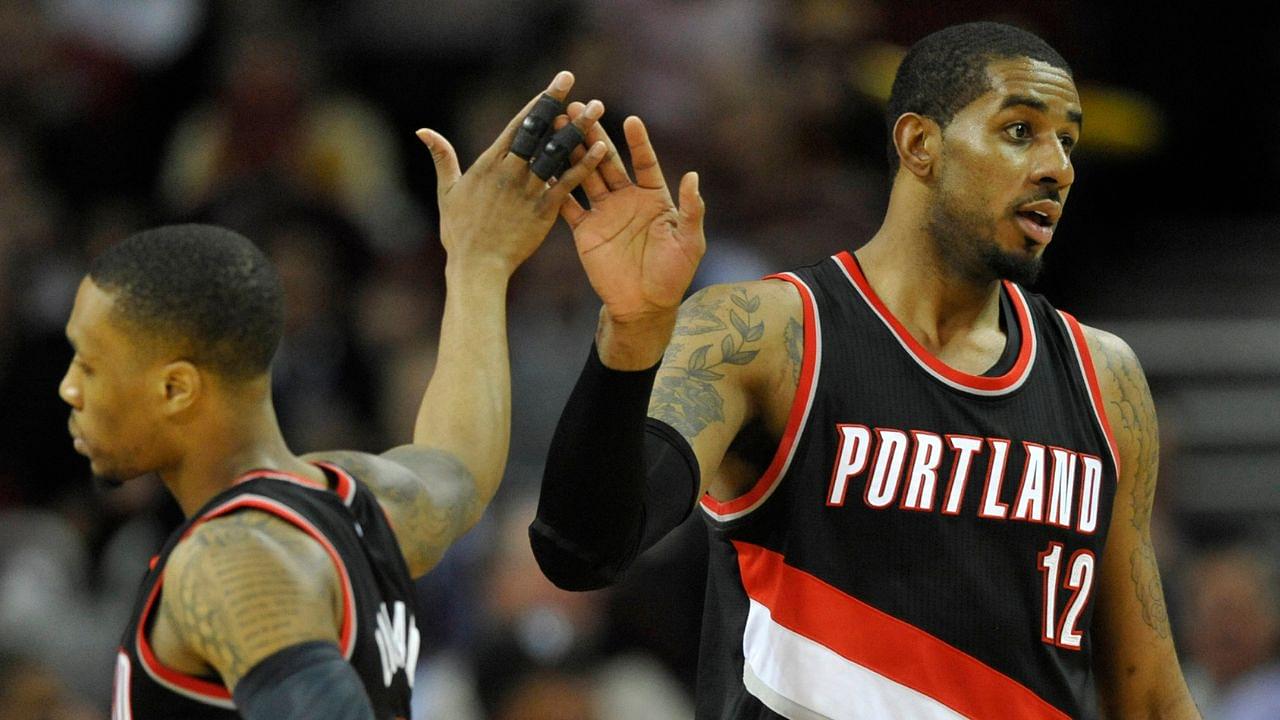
929,491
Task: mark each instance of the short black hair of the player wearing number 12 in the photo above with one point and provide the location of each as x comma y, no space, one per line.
948,70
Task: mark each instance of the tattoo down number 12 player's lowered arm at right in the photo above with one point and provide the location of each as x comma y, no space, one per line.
1133,418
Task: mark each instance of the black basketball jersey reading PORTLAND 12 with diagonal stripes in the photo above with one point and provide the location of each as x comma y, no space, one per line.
926,543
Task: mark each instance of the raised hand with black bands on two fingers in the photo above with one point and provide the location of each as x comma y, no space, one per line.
500,212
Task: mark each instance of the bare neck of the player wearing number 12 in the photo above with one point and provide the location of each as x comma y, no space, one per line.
903,266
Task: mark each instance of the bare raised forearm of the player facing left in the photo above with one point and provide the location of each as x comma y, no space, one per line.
467,408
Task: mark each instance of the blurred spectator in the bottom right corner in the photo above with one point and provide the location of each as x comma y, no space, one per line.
1233,634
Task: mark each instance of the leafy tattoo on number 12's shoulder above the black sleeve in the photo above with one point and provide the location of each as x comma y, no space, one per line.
687,398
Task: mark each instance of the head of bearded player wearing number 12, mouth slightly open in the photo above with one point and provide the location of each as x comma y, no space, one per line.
985,116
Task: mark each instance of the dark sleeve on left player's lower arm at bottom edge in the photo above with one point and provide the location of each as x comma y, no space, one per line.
304,682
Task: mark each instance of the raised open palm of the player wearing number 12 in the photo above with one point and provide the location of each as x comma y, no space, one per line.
639,249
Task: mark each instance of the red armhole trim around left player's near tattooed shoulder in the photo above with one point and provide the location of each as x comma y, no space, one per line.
216,694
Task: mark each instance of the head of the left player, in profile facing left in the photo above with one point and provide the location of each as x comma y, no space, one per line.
166,322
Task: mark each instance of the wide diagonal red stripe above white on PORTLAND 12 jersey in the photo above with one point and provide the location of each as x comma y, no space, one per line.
883,644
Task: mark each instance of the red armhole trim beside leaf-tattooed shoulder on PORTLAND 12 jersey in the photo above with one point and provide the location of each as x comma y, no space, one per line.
796,421
